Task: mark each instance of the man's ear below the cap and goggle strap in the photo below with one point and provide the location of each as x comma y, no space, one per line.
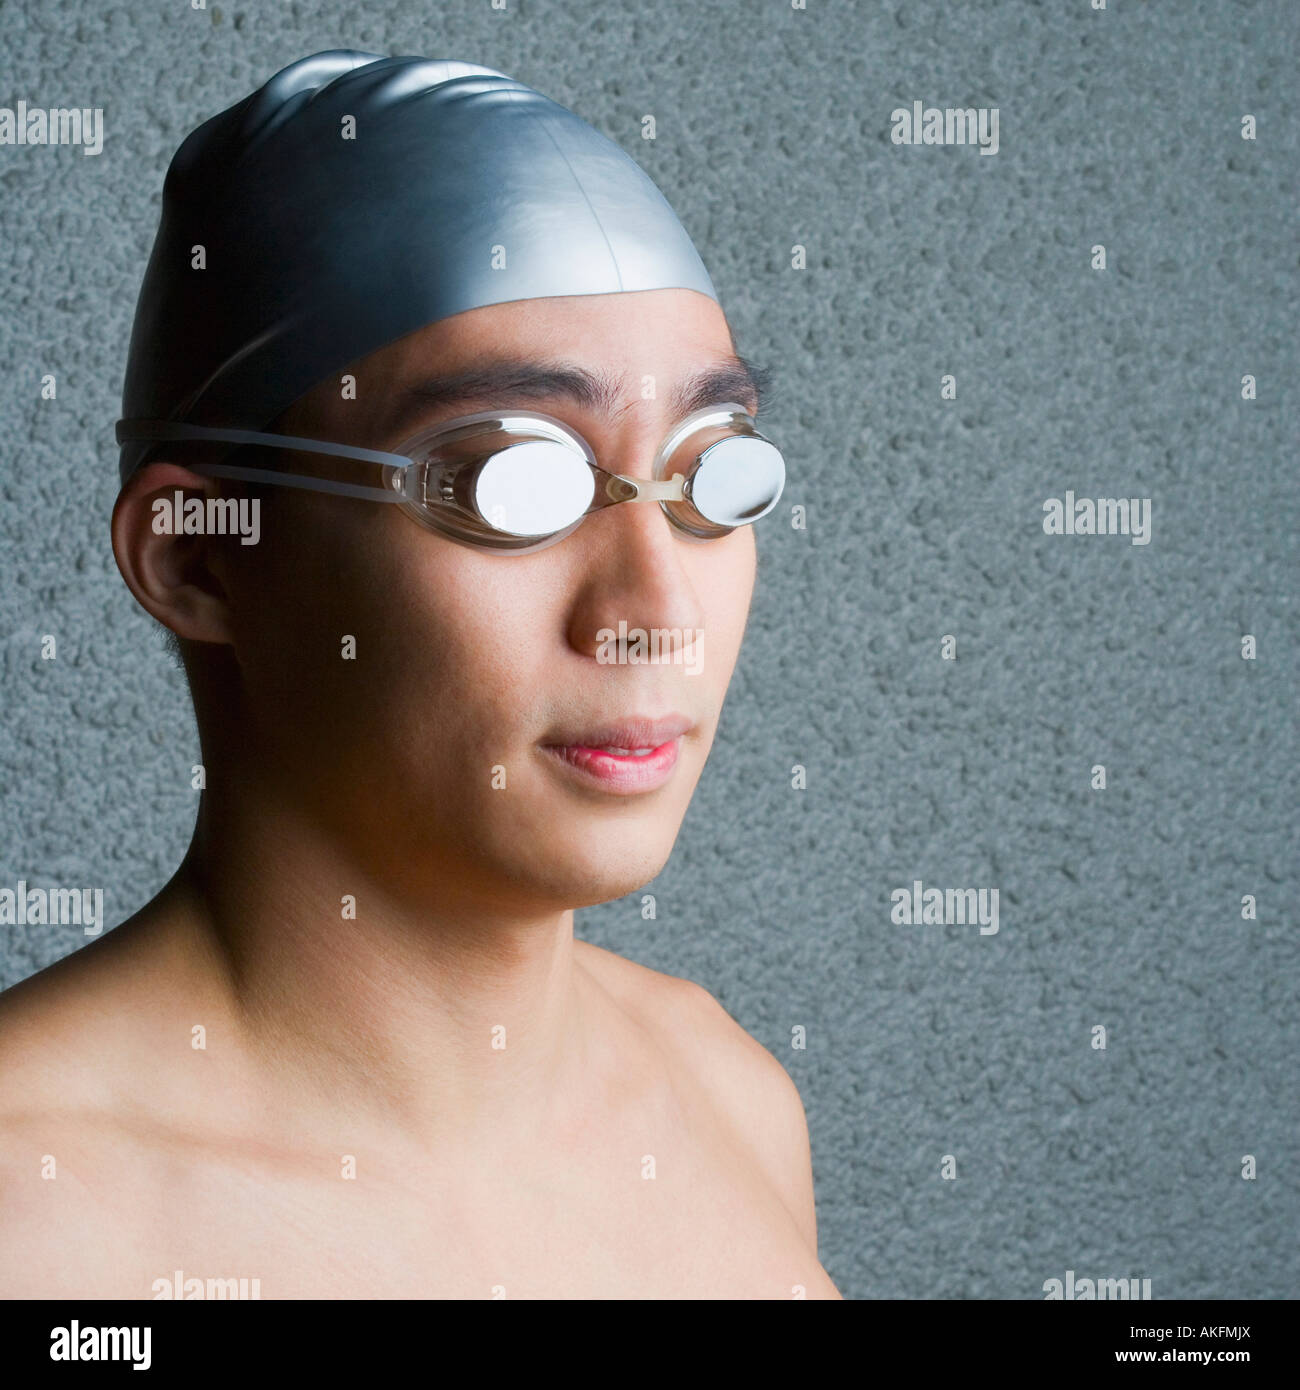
176,579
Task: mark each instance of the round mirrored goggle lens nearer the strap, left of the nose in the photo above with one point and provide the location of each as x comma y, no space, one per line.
533,489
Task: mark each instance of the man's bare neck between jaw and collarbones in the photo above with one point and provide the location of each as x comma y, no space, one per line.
418,1011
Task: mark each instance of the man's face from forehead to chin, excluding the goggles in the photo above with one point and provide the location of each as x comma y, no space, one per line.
432,755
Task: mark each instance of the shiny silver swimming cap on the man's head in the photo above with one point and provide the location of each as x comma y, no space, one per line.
458,188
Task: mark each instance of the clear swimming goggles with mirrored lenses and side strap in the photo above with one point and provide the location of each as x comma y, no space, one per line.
518,482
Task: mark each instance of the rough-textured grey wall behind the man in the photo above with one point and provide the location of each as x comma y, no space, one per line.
925,519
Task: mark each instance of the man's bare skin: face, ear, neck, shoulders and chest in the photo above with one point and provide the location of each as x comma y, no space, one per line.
447,1095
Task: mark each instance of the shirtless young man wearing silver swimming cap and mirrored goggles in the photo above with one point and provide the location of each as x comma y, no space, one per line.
352,1049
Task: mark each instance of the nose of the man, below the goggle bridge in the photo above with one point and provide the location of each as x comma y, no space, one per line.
636,572
